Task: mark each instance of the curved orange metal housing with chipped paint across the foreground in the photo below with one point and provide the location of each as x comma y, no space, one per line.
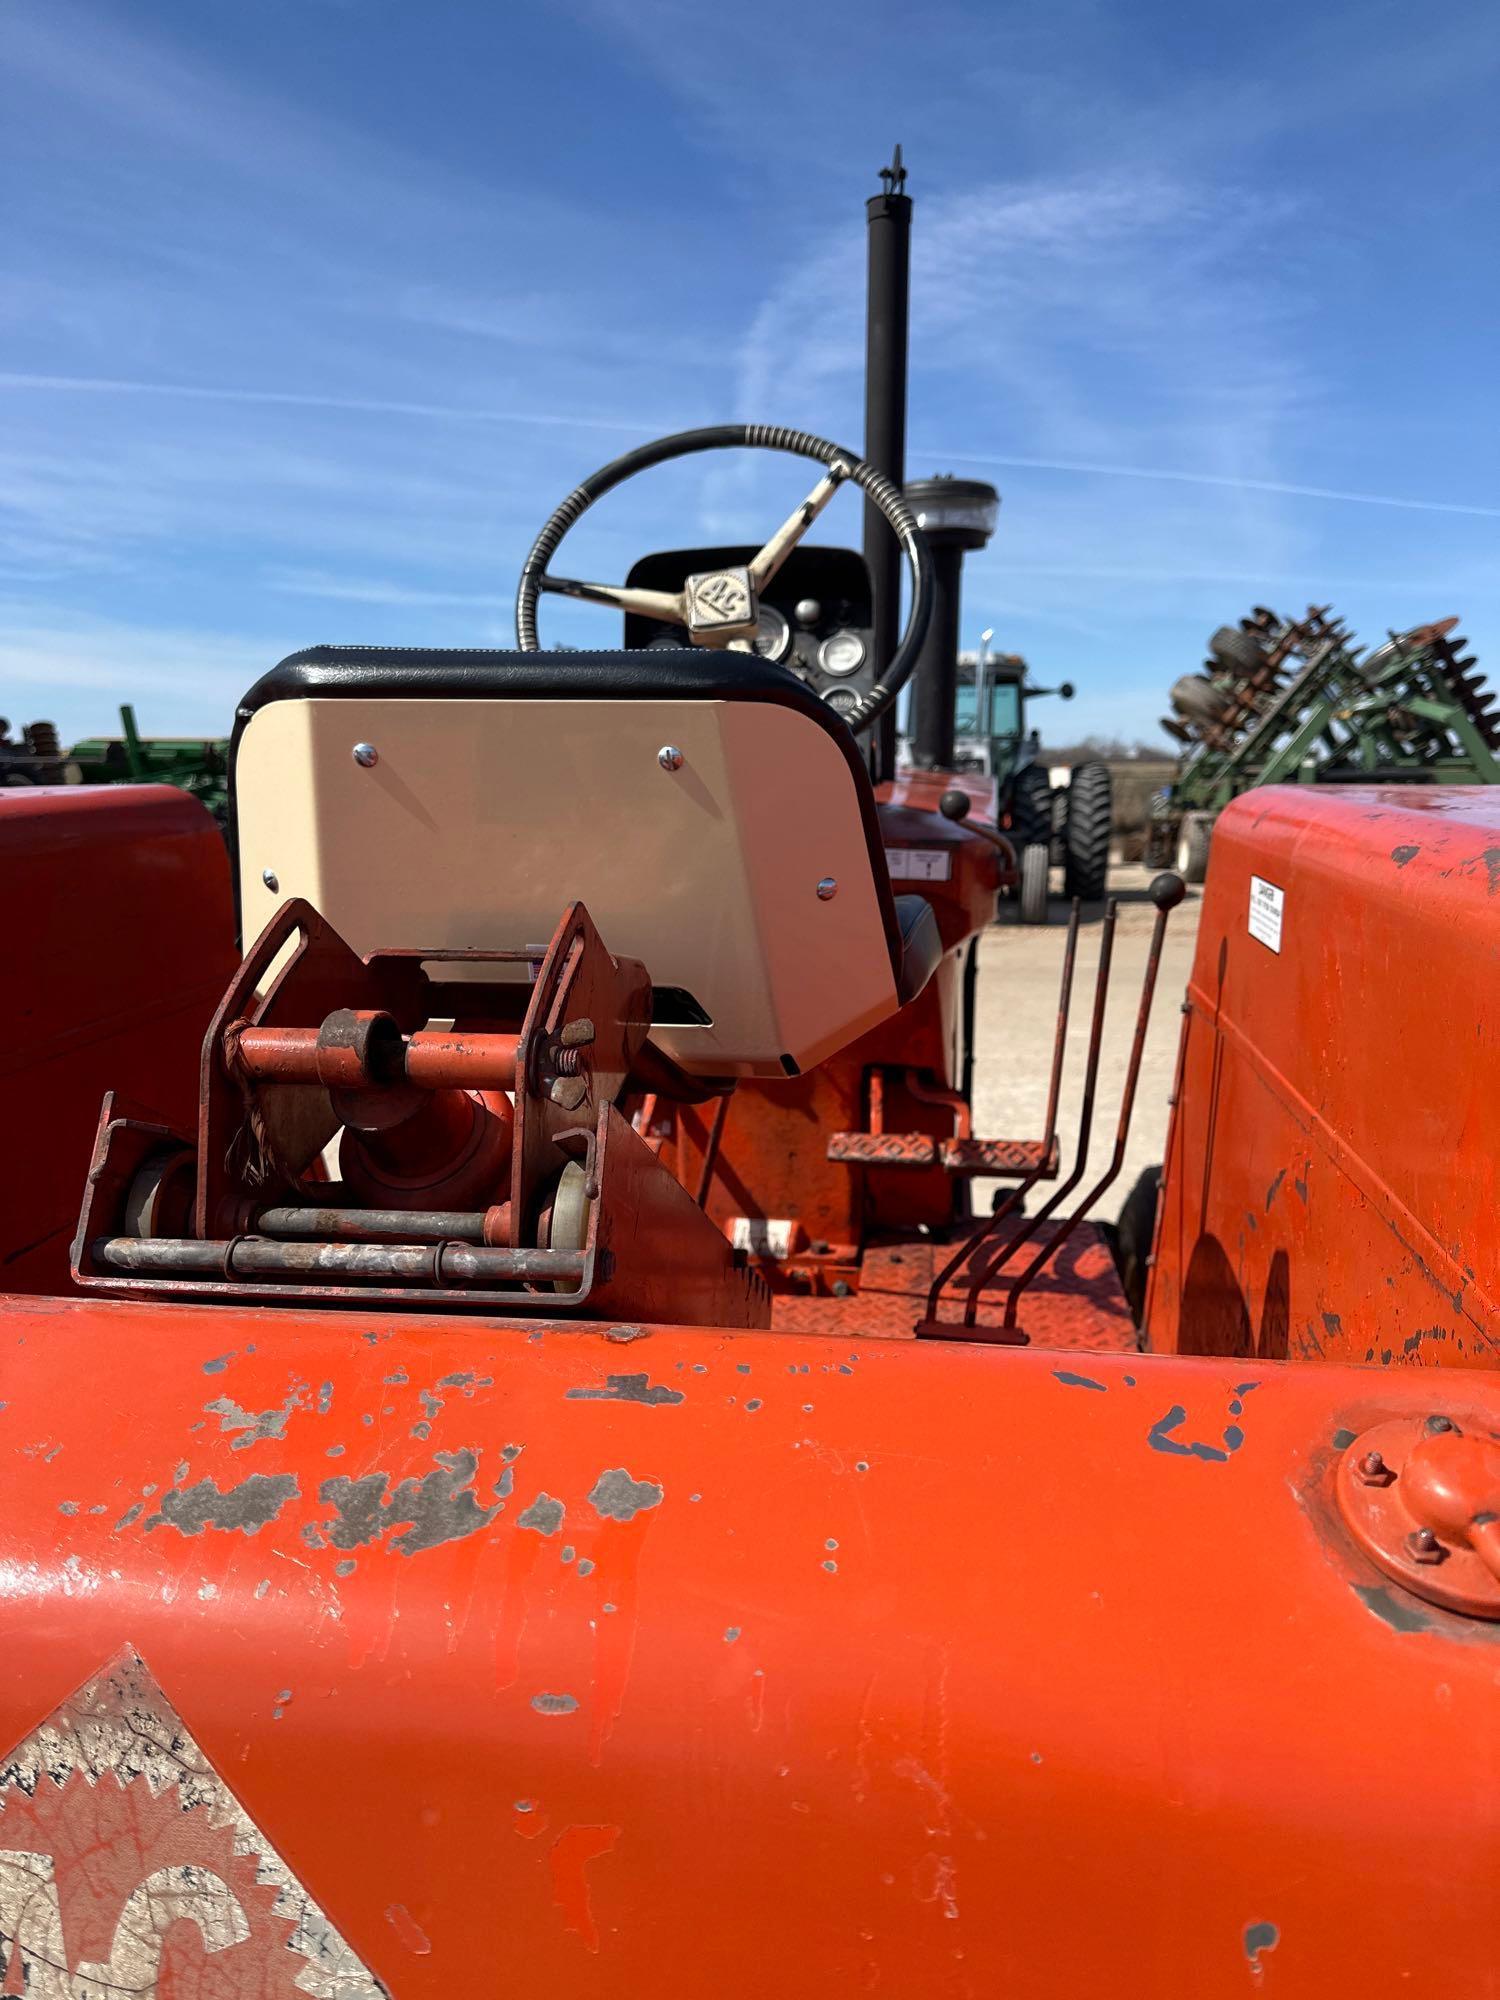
663,1661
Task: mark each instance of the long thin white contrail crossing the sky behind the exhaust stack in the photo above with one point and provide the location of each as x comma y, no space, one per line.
455,415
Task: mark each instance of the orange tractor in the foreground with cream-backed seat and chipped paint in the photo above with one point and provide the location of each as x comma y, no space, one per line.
523,1469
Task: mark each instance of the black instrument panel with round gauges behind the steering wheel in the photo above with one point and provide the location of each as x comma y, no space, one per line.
815,615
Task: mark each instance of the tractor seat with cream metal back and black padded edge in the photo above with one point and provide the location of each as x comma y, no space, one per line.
713,815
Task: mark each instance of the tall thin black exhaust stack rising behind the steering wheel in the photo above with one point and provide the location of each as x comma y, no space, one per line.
889,291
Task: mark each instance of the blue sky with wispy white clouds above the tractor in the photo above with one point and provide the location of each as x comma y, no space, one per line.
313,309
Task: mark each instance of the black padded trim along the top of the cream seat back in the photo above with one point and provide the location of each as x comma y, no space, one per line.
649,675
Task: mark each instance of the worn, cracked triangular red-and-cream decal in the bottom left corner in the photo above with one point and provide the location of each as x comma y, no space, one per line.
129,1867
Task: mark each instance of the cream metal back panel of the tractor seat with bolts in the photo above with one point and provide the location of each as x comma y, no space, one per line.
485,819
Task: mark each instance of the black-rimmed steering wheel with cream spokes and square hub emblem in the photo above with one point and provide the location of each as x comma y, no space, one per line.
721,607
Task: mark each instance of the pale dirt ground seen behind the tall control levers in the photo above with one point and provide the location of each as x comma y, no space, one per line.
1017,1021
